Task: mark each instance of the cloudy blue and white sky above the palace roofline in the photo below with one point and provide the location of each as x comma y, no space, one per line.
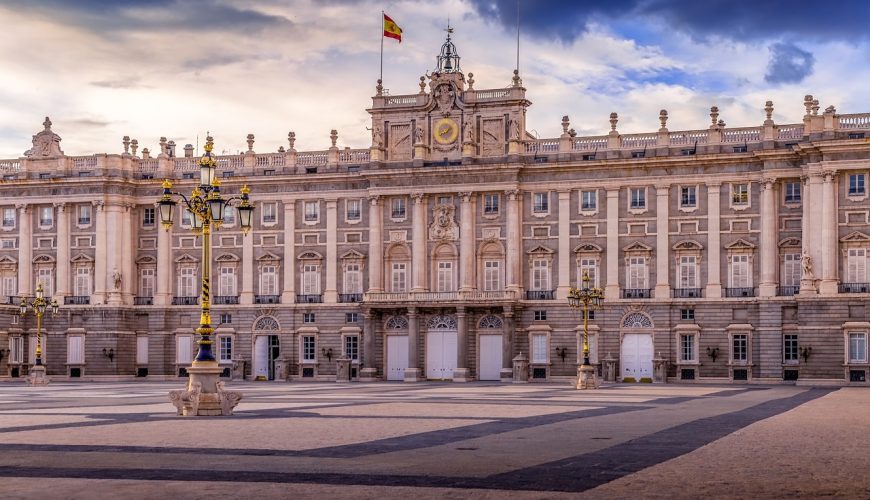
103,69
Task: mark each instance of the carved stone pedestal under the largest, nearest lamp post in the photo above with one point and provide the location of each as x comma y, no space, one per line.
205,394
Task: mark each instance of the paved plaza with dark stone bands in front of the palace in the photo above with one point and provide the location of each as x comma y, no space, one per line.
433,440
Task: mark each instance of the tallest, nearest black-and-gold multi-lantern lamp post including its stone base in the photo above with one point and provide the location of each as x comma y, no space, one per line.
206,207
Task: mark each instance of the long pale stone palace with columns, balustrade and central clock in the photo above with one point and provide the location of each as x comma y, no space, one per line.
448,248
